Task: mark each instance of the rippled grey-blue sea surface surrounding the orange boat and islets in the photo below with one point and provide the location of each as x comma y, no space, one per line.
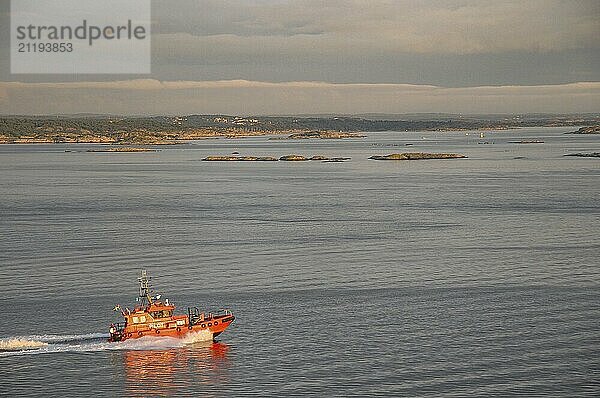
473,276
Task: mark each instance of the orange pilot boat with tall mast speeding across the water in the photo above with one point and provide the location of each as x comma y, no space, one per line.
155,318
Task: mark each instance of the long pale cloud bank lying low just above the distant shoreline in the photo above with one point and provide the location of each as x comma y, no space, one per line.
149,96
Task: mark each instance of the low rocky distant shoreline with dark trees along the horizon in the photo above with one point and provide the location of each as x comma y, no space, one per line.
168,130
